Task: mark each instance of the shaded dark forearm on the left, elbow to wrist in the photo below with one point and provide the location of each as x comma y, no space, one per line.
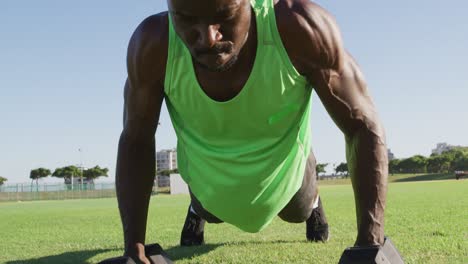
134,181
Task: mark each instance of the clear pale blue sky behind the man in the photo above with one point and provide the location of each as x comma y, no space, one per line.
62,70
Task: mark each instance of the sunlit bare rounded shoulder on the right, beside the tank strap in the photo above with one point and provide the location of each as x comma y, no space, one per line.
310,35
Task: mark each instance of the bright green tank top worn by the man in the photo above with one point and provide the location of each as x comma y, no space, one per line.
245,158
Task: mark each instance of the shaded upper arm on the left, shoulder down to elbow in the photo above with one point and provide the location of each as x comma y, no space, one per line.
144,88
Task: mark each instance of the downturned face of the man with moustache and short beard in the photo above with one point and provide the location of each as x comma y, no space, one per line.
213,30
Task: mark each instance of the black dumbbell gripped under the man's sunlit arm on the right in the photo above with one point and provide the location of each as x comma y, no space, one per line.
385,254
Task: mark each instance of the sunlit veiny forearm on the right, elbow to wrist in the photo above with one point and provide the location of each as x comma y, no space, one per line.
368,164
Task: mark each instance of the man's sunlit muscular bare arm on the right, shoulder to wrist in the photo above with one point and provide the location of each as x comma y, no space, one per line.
314,45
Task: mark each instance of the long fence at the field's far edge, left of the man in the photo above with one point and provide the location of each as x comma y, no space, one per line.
31,192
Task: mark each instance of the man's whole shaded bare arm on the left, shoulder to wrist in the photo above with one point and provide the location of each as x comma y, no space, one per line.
143,94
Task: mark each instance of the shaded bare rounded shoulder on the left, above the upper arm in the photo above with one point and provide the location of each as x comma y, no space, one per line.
147,50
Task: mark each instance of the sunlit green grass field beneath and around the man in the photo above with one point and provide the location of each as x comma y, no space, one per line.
428,221
